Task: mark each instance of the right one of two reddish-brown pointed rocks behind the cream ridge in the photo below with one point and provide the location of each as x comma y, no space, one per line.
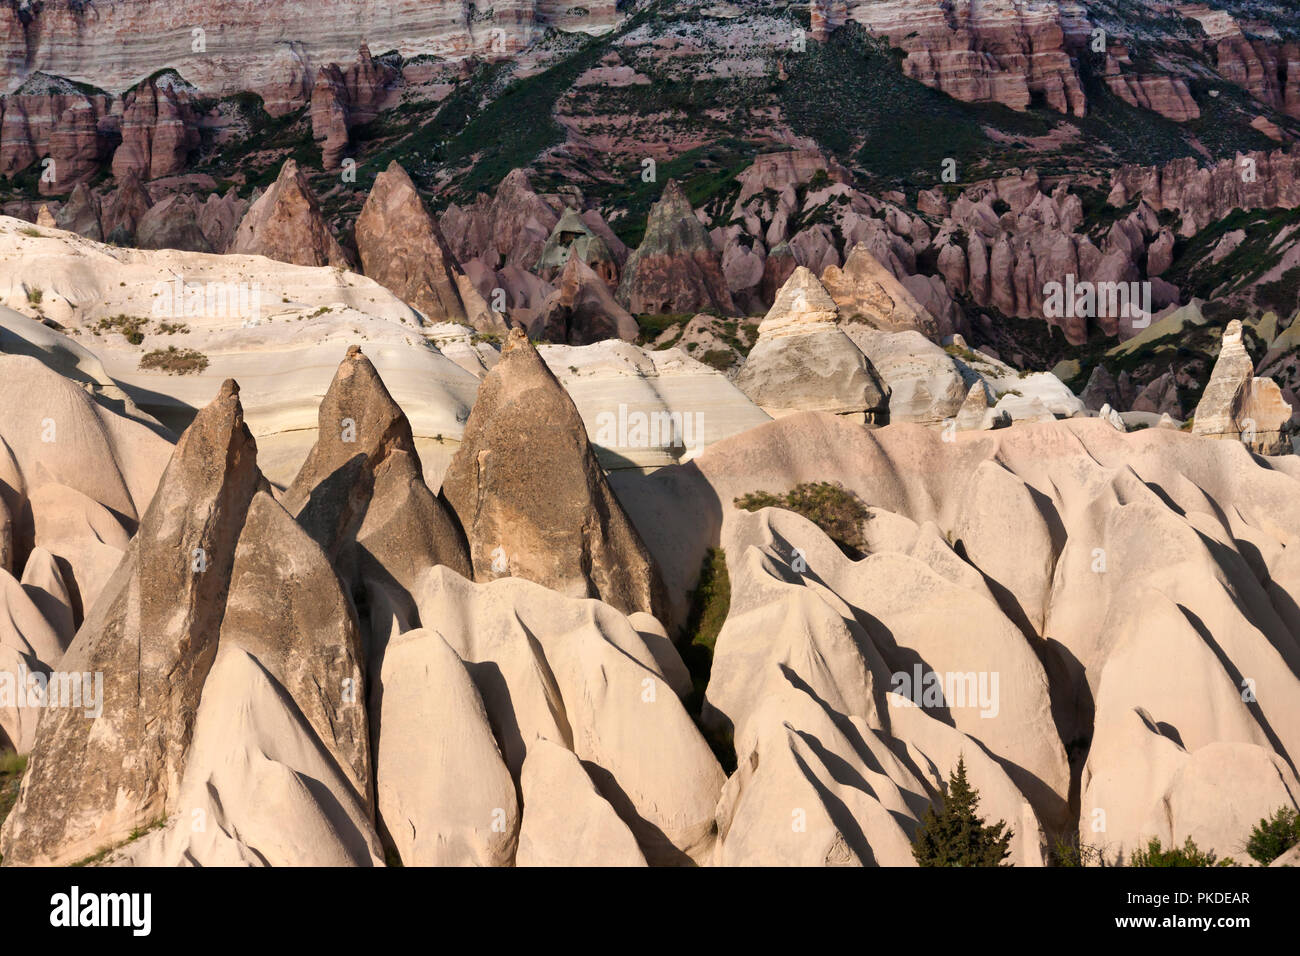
404,250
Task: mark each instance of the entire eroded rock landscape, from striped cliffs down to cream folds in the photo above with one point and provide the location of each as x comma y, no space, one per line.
547,435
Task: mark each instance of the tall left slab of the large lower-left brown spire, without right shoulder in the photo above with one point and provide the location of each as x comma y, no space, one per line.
153,635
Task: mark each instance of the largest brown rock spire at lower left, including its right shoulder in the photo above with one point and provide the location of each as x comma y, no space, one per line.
216,565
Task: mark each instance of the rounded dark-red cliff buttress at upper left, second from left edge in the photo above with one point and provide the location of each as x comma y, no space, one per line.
159,132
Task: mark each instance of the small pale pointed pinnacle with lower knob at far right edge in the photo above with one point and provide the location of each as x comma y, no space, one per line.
1238,405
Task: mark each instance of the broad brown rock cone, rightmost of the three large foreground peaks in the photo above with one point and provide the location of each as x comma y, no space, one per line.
532,498
